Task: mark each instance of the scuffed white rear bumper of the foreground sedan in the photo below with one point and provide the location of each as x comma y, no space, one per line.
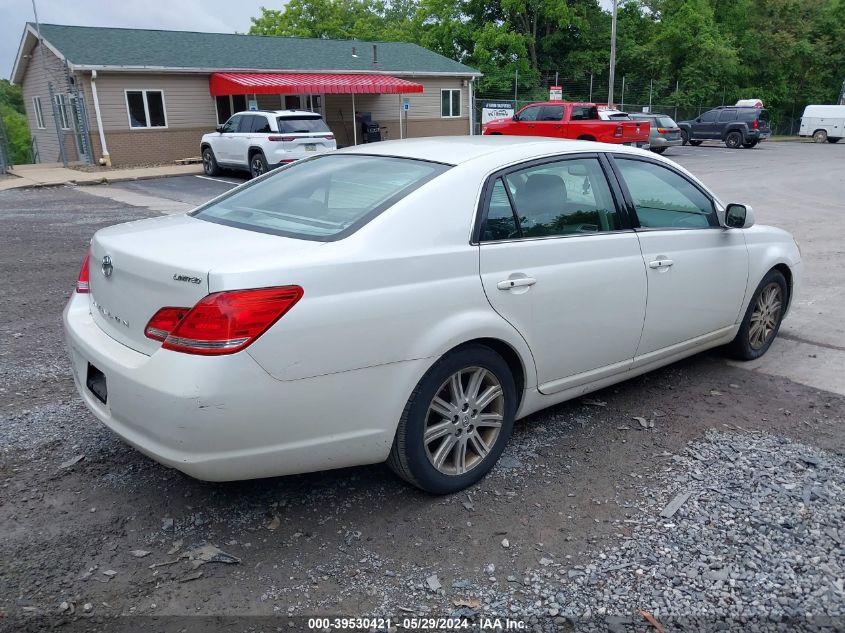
225,418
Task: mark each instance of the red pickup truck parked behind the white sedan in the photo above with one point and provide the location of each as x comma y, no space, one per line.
561,119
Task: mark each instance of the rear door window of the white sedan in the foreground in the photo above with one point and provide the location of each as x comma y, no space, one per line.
552,199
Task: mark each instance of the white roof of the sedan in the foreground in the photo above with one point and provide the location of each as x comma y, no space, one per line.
504,150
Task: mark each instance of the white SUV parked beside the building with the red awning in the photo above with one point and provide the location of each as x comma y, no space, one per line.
260,140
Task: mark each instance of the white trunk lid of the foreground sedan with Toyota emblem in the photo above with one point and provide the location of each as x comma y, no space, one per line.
140,267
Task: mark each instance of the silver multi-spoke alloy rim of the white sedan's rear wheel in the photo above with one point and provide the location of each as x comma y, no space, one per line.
464,420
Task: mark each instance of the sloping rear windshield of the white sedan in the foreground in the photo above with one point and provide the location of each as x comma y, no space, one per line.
325,198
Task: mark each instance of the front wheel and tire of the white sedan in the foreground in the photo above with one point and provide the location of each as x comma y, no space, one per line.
752,342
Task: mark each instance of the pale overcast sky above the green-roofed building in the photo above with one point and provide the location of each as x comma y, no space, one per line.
220,16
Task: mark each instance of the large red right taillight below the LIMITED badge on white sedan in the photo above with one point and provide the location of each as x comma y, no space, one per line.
223,322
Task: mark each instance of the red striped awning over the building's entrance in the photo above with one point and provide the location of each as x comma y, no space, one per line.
287,83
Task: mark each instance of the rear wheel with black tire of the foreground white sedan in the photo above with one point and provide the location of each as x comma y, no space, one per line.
414,460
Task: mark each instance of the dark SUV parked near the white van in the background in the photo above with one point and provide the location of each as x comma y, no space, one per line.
735,126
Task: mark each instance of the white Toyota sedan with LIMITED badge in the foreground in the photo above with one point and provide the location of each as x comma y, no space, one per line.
408,300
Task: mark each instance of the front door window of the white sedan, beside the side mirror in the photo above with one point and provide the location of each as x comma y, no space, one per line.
665,200
